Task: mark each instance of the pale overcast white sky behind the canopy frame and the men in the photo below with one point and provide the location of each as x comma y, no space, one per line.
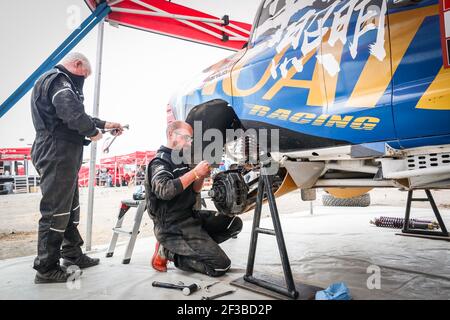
140,70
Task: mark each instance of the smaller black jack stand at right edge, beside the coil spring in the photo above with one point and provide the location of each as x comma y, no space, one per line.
436,235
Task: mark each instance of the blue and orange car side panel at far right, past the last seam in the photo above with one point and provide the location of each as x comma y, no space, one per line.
421,82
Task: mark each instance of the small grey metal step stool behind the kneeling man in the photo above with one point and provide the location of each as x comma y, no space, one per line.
125,206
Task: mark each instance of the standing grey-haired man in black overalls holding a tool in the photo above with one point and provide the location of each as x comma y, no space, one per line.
61,129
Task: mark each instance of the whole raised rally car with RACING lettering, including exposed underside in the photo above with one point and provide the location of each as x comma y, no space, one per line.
359,90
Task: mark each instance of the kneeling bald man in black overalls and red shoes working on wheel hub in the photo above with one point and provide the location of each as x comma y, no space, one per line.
185,236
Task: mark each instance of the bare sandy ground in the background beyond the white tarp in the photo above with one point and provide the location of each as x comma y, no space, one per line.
19,215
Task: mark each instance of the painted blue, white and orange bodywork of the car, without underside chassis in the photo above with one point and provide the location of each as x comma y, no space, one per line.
332,73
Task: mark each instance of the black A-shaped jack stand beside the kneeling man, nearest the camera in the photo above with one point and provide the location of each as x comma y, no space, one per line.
249,281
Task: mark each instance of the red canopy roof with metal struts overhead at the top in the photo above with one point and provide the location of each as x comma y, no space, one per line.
170,19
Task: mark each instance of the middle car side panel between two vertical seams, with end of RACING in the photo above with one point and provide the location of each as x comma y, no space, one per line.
357,60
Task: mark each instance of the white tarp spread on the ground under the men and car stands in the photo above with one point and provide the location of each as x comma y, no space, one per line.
333,245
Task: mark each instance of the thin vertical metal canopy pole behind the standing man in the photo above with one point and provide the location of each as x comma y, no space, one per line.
98,73
